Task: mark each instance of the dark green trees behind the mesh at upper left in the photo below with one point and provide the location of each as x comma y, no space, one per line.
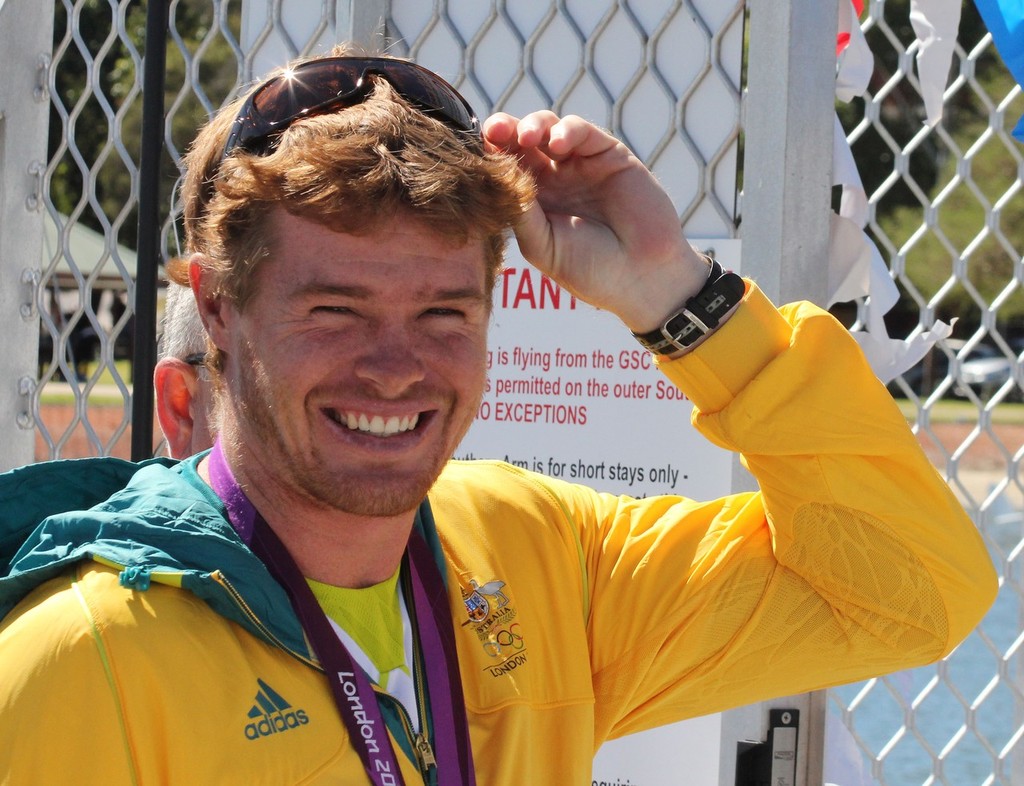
97,127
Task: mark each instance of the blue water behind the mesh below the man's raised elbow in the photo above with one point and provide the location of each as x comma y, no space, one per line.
956,723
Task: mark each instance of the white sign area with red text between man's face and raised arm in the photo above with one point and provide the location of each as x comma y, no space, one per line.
573,396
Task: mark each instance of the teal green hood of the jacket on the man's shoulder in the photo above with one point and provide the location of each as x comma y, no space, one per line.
156,520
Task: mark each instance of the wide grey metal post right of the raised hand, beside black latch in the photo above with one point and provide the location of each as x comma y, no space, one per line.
787,188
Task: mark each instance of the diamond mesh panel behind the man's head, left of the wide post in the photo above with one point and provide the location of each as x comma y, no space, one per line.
570,58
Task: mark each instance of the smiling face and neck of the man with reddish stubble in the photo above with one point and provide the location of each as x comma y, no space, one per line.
353,374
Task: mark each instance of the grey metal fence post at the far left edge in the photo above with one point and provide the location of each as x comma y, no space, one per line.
26,40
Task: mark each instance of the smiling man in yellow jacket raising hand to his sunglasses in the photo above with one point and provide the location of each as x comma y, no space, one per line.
325,597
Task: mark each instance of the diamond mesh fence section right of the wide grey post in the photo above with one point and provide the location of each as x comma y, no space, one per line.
947,213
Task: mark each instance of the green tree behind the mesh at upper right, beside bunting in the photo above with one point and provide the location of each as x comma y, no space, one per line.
957,267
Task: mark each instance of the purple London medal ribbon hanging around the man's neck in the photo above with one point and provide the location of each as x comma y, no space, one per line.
351,687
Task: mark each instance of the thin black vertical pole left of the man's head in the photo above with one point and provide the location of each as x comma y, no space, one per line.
149,254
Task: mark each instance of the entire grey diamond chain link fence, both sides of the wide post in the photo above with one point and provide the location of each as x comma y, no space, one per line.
945,210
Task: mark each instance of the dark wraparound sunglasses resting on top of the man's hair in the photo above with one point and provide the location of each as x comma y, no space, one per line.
329,84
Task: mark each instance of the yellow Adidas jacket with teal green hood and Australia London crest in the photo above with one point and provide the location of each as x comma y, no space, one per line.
142,642
